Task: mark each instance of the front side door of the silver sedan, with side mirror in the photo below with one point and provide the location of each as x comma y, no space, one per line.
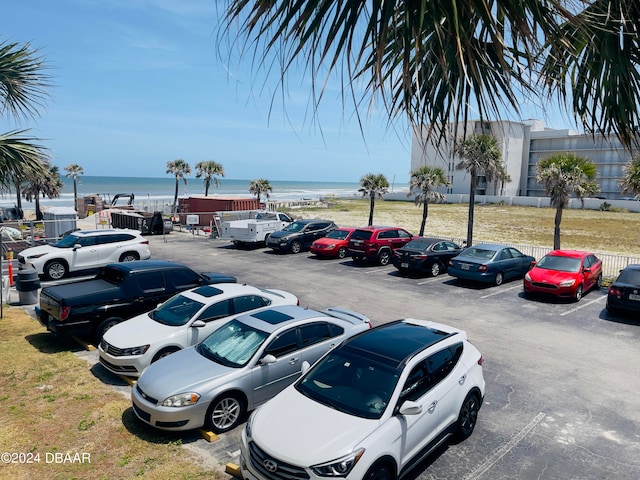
268,379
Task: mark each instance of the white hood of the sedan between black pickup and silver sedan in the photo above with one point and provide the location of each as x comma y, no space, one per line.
140,330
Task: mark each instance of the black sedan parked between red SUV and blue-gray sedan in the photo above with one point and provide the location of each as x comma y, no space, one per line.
425,255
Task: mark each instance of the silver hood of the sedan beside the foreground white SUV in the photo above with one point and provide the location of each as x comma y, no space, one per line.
183,371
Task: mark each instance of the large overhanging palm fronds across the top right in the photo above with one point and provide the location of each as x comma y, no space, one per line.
437,63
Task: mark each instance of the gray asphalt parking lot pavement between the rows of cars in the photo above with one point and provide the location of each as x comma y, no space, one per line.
562,382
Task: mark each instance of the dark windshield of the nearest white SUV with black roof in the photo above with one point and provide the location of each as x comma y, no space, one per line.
350,383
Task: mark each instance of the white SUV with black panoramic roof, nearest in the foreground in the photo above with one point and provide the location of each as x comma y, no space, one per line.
371,408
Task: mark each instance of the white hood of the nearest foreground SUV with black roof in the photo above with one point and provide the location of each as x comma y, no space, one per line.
298,430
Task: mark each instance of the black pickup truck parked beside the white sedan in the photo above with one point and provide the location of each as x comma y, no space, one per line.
118,292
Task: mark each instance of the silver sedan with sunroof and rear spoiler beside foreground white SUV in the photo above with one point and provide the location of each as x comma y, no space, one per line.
238,367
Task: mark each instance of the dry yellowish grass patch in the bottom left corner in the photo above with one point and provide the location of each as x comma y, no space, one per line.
52,405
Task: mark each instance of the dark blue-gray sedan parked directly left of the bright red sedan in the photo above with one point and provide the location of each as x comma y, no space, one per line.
490,263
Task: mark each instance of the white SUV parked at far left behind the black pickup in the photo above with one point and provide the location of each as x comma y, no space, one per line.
85,250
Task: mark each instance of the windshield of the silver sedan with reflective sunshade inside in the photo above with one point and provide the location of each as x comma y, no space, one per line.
232,345
